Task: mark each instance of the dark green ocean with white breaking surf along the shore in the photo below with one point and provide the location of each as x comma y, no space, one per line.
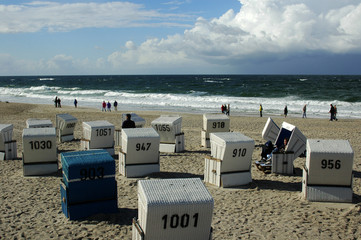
194,93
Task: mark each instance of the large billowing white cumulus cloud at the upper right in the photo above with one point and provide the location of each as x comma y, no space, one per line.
263,30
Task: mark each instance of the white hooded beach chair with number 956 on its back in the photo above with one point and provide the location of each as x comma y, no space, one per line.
327,174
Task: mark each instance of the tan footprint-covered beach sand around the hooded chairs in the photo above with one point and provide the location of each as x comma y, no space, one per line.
270,207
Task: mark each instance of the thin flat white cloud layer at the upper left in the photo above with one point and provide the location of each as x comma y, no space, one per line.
52,16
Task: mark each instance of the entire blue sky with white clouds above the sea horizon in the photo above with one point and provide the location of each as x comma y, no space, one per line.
180,37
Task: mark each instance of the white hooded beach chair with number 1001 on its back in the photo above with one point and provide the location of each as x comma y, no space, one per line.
173,209
